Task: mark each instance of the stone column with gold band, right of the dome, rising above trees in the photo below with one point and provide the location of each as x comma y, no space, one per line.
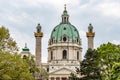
90,35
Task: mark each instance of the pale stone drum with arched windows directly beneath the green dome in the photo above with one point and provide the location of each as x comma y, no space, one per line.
57,50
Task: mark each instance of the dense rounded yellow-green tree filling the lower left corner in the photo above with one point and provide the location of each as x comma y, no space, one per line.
13,67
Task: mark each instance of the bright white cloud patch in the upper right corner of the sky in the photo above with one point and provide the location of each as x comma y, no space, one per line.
110,8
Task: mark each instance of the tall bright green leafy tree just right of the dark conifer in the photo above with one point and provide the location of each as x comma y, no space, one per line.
109,54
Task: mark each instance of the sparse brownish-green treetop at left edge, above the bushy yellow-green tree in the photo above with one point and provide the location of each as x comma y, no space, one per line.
6,41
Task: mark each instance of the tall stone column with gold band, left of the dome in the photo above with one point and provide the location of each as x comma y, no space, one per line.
38,35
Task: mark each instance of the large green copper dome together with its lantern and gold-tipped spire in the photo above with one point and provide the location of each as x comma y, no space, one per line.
65,31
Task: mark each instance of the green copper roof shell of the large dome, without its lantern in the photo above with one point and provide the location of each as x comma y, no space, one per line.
67,30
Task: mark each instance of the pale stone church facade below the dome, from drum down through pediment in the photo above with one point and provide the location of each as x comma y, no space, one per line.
60,68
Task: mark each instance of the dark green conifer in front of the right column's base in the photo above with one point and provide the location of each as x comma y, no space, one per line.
89,66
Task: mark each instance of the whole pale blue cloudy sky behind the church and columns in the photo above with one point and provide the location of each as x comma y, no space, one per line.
22,16
